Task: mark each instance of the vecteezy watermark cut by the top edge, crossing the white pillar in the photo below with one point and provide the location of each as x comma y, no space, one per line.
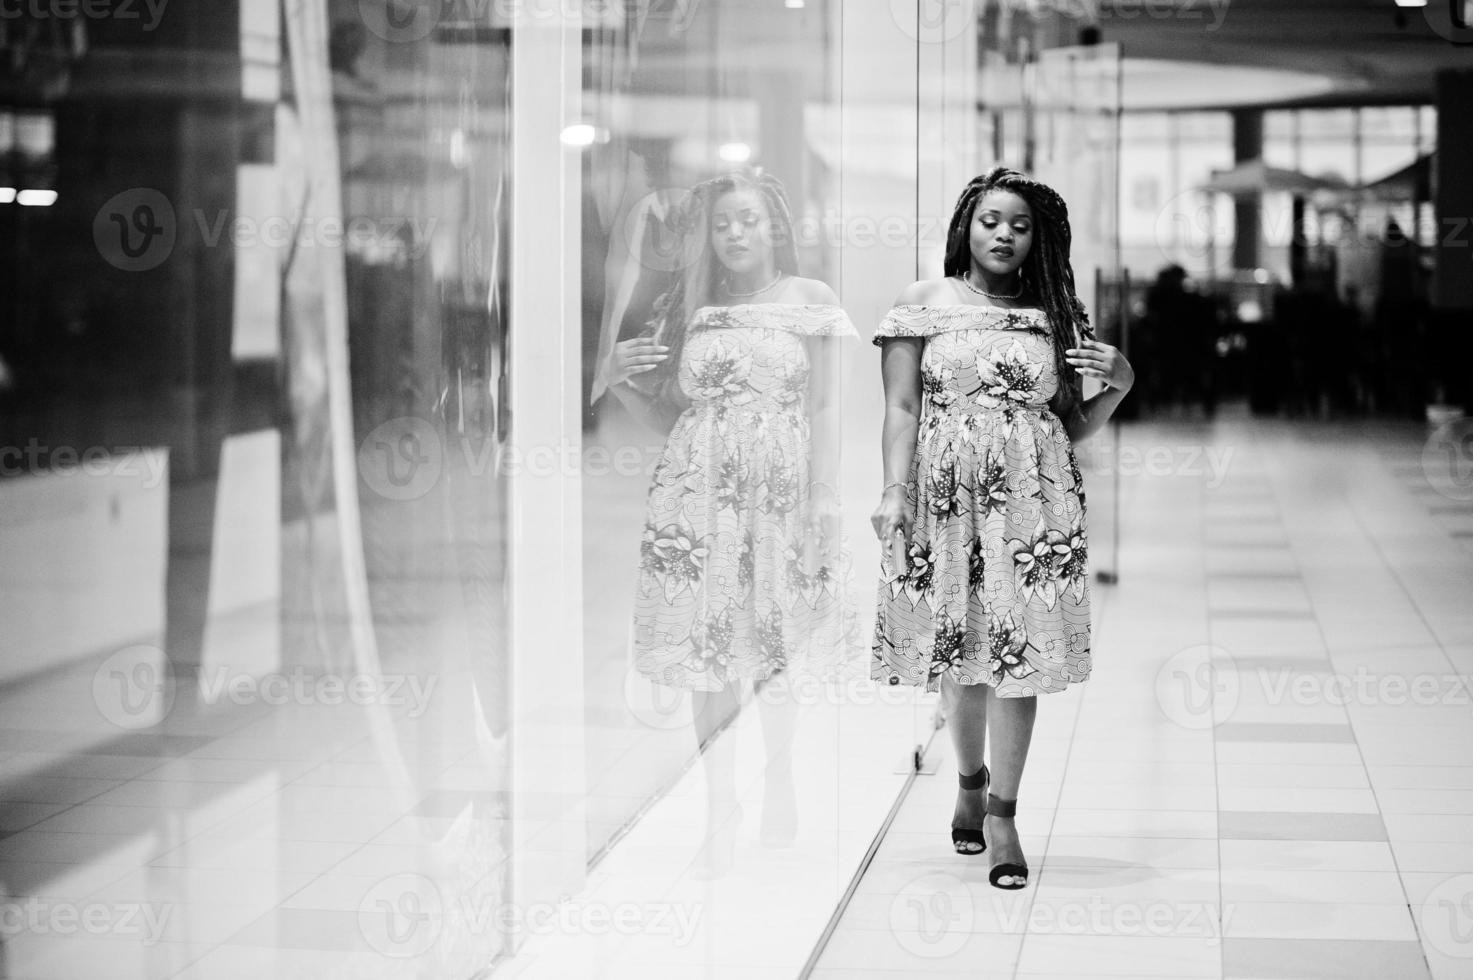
410,21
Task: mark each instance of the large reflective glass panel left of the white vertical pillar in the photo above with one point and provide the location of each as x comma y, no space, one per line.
267,306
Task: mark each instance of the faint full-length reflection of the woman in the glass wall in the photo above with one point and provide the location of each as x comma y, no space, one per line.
740,573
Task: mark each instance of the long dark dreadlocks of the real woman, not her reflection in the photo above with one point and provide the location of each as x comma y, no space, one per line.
1047,267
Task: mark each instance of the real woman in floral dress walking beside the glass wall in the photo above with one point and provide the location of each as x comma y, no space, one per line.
986,590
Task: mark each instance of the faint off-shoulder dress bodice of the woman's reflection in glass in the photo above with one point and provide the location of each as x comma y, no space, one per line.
753,356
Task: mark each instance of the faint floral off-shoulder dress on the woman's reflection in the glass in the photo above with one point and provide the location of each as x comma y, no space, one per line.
731,584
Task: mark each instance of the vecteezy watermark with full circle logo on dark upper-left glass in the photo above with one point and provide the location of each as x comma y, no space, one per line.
139,231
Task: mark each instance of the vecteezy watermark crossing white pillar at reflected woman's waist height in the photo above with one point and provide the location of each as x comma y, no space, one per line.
404,458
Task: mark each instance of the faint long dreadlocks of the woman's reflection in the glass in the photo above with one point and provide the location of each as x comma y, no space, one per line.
695,285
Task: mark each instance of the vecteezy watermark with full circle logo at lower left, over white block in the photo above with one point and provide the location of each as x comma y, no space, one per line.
138,689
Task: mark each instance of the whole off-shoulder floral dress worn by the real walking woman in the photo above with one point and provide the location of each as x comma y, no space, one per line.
996,590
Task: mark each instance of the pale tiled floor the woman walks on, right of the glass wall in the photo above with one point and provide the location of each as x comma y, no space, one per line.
1270,774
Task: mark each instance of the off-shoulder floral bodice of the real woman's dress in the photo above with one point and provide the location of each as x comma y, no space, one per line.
979,359
